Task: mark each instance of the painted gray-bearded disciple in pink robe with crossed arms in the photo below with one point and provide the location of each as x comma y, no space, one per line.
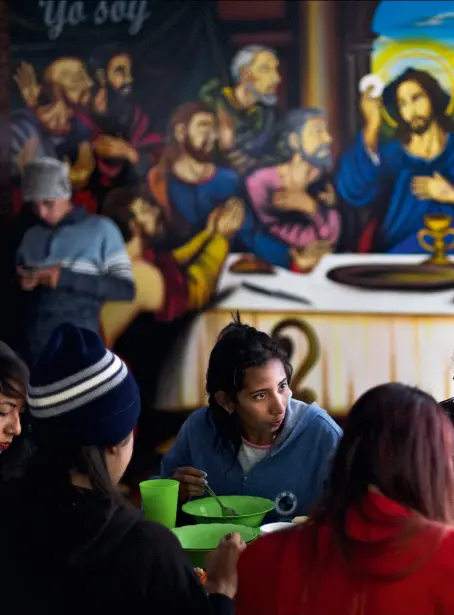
295,199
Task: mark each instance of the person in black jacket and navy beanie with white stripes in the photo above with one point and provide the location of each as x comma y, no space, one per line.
72,544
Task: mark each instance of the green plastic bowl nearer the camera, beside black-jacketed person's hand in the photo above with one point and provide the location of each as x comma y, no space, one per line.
199,540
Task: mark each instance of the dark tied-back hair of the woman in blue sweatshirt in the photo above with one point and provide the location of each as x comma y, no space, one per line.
237,348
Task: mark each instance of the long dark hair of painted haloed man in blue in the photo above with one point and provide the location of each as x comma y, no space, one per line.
438,98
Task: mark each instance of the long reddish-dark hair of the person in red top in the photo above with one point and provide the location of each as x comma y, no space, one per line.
398,439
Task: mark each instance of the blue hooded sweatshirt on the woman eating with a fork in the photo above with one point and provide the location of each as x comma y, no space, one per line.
293,474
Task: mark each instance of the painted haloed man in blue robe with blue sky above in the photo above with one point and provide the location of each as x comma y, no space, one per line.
409,105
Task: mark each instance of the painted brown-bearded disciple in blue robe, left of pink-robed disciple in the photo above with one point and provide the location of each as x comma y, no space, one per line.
189,186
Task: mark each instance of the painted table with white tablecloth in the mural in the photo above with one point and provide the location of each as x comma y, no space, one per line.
344,342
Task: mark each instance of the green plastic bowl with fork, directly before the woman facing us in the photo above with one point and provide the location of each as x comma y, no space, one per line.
251,510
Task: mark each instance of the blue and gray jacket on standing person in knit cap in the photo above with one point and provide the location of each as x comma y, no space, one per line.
95,268
